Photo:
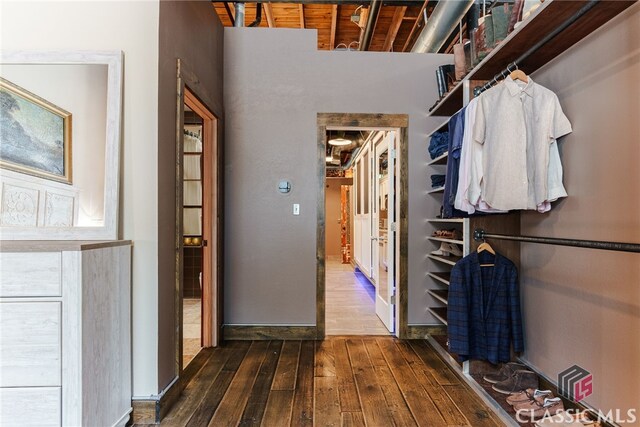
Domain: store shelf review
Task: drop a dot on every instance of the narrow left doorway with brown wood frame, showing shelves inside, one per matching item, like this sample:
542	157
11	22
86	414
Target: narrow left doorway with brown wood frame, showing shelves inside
197	237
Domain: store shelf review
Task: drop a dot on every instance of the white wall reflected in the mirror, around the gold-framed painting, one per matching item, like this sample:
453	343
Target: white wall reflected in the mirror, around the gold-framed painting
82	91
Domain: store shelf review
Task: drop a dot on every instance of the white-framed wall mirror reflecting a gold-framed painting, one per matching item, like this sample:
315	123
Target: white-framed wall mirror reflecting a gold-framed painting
60	117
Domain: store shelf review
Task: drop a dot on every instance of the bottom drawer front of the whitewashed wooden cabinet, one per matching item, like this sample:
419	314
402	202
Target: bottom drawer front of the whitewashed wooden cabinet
34	406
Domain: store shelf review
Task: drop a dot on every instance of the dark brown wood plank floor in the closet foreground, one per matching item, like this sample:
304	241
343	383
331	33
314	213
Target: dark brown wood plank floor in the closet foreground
342	381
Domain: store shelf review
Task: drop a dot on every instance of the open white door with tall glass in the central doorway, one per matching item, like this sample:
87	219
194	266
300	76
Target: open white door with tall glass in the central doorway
383	236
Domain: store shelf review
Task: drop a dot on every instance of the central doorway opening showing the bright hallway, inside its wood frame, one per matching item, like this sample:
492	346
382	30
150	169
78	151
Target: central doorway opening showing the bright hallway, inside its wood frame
359	289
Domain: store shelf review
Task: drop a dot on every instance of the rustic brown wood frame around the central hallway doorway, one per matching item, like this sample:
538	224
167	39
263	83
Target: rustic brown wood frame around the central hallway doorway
399	122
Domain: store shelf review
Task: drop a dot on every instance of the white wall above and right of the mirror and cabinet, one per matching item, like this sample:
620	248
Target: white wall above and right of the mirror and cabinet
132	27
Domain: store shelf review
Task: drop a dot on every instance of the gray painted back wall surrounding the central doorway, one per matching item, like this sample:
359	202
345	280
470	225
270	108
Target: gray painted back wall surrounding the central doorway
275	84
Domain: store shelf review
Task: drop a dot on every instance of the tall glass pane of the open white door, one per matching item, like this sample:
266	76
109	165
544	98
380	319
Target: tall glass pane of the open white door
382	187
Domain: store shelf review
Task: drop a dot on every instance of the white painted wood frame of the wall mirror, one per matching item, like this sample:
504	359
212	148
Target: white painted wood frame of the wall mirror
114	60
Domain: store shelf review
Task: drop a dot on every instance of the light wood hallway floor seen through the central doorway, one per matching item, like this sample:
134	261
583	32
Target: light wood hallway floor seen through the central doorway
349	302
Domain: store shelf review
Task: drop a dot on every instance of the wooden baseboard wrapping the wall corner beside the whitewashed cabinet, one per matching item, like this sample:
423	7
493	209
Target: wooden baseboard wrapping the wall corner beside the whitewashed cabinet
154	409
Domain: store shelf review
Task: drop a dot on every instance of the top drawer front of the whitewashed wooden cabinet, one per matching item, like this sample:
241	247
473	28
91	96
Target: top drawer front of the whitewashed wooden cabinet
25	274
